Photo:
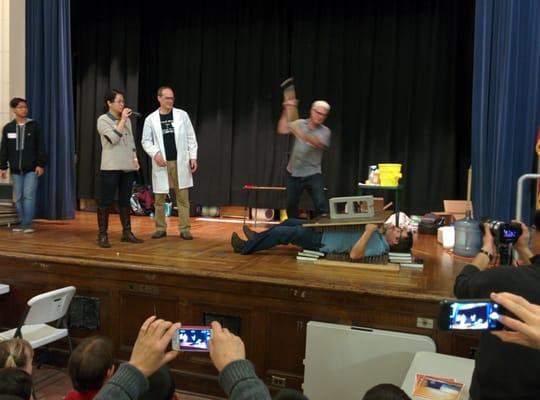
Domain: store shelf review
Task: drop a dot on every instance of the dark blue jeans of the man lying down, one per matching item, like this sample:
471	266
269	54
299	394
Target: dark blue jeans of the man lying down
289	231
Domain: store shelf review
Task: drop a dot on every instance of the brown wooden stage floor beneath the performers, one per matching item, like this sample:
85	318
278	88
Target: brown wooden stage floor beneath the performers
210	255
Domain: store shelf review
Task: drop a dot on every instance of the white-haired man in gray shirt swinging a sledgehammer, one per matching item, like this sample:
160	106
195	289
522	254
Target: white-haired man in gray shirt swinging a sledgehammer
311	139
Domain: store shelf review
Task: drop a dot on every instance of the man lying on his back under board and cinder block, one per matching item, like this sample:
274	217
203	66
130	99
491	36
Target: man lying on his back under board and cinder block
370	240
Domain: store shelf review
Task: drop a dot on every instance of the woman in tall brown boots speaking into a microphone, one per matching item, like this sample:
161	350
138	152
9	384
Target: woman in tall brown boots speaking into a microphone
118	164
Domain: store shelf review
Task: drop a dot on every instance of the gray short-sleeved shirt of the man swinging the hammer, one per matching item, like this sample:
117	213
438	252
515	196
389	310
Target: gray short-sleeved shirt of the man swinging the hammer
305	158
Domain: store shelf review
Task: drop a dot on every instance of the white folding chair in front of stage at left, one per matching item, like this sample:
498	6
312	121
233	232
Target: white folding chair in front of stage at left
42	309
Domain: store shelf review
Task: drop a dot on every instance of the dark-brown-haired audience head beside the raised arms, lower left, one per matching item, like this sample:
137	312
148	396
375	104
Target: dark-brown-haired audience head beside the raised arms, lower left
91	364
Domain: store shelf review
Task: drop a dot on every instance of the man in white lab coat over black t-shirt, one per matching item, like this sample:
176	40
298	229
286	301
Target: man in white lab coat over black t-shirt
169	139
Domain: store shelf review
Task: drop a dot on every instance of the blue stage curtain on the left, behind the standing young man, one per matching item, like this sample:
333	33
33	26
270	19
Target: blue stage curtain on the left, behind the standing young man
50	97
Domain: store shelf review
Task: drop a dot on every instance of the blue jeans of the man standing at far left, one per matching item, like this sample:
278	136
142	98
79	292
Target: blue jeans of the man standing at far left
24	187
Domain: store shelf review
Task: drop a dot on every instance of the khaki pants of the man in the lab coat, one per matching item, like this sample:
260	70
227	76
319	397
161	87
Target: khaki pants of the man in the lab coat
182	202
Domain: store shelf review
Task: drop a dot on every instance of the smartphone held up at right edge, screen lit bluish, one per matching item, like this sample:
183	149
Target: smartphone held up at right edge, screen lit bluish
474	314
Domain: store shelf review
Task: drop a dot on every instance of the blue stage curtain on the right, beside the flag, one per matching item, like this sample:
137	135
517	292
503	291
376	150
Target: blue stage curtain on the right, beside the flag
506	104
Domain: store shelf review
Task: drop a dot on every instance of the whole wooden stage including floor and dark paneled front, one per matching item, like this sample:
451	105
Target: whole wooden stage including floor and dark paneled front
267	298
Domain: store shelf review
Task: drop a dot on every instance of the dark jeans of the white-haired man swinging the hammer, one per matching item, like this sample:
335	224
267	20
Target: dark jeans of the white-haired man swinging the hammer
315	187
